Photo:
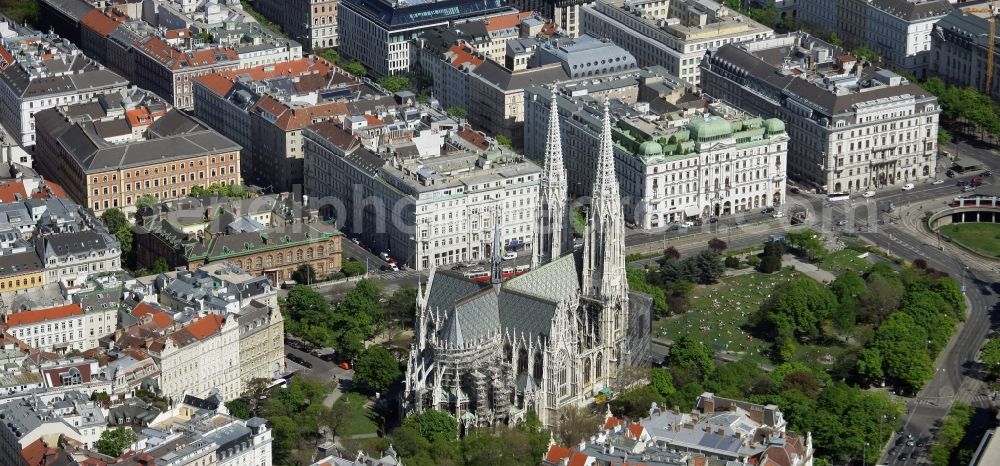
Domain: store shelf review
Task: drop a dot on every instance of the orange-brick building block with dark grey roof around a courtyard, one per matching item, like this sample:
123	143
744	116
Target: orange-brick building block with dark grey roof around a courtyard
117	148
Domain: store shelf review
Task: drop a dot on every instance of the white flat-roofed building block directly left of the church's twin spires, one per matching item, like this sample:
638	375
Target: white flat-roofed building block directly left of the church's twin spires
426	211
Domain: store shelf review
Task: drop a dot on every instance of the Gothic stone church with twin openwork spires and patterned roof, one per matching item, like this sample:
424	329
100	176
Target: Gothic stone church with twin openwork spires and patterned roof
549	339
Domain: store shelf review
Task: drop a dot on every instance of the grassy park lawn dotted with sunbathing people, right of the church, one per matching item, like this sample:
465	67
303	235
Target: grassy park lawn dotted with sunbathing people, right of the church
719	312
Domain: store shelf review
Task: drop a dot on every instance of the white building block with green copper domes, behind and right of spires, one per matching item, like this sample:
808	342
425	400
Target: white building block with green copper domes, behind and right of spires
679	156
